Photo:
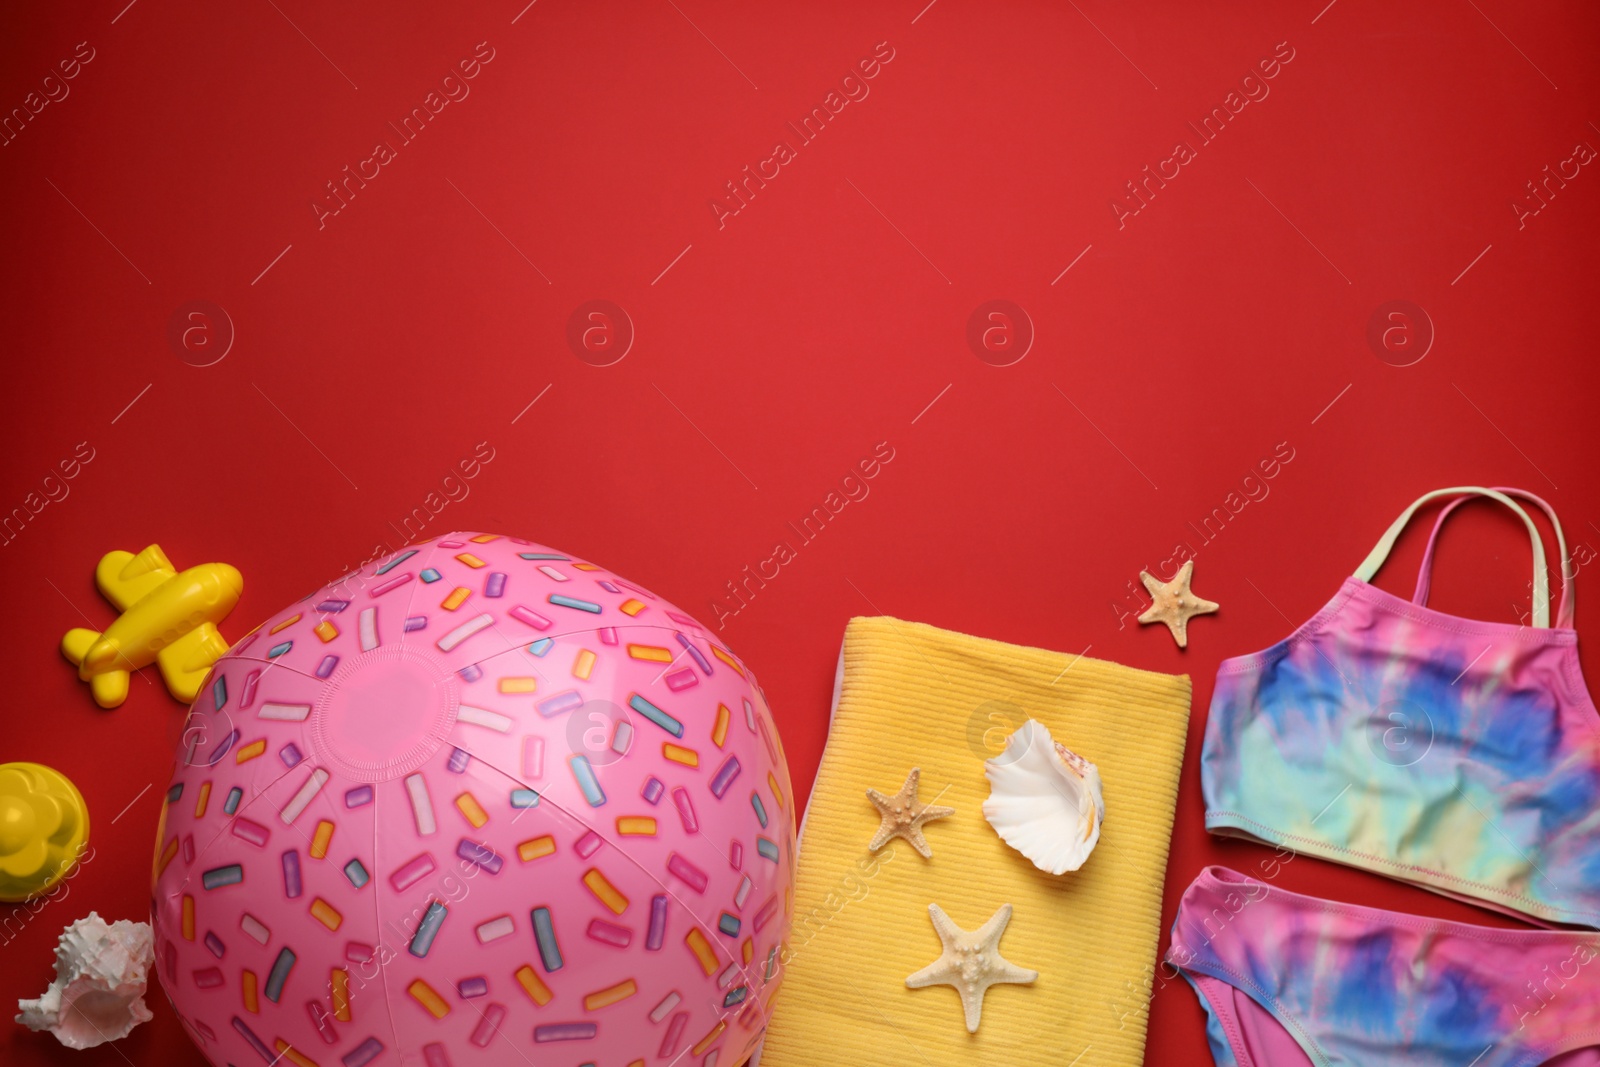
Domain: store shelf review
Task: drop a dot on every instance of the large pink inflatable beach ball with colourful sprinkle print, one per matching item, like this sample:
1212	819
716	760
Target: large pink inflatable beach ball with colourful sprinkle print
479	804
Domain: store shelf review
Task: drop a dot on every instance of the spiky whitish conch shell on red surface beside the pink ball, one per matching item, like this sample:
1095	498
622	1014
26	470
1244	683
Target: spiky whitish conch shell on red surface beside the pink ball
98	996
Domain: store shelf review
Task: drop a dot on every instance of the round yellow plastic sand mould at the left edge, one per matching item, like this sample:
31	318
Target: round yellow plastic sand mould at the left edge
44	829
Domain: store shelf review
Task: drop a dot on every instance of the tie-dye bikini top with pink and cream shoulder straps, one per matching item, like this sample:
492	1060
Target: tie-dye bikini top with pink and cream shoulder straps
1447	753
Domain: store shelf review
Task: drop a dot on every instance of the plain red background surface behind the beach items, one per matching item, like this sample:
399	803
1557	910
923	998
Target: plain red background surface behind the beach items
372	356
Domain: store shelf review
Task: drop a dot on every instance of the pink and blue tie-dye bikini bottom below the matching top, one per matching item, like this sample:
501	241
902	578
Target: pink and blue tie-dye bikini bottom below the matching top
1295	981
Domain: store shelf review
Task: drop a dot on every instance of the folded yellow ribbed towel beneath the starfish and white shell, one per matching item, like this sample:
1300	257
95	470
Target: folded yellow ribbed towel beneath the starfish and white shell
914	695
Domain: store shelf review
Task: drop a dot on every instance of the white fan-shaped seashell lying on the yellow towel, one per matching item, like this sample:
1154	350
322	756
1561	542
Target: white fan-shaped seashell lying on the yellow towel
1046	801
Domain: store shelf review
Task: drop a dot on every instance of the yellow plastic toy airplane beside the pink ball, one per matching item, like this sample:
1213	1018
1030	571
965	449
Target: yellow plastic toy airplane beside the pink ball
167	618
